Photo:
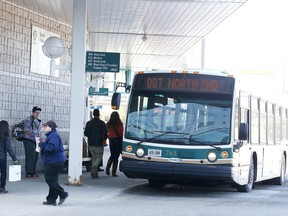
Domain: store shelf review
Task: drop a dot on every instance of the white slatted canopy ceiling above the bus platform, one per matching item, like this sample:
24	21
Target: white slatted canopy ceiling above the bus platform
172	26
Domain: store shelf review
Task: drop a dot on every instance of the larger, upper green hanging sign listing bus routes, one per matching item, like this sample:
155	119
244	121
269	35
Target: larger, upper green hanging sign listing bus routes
102	62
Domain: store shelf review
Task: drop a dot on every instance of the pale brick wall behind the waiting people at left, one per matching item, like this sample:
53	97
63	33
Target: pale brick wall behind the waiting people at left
20	89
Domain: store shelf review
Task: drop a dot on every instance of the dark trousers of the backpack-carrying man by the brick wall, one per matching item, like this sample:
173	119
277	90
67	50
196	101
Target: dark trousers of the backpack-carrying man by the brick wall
31	157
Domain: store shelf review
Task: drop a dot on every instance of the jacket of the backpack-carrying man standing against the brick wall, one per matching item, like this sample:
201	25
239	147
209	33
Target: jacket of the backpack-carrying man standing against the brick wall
32	128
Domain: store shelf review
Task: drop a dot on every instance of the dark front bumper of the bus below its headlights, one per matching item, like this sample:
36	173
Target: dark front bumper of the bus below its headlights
176	172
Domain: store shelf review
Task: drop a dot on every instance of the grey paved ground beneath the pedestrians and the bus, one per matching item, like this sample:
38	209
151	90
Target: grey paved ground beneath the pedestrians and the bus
108	196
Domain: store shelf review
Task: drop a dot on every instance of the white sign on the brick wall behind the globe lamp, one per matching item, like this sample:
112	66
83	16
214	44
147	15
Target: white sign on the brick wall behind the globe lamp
39	62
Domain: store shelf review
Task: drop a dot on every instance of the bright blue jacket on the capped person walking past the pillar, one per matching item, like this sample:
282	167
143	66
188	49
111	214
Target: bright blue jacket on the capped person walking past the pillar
52	150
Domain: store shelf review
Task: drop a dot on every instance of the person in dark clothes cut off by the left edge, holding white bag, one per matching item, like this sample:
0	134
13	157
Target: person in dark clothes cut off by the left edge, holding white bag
5	146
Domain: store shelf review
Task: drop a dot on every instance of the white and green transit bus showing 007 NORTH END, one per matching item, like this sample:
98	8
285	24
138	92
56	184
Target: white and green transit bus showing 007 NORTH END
188	126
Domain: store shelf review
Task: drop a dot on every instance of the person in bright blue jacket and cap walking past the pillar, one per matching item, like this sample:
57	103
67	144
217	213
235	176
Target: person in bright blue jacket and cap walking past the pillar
53	158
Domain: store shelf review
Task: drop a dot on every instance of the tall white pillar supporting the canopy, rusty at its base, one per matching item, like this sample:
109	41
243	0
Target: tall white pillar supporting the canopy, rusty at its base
77	92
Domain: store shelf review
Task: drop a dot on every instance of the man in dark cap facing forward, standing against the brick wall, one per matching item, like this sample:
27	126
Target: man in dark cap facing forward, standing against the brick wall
32	127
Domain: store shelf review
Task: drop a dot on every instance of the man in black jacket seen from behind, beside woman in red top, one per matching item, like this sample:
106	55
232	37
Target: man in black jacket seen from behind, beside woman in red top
97	133
